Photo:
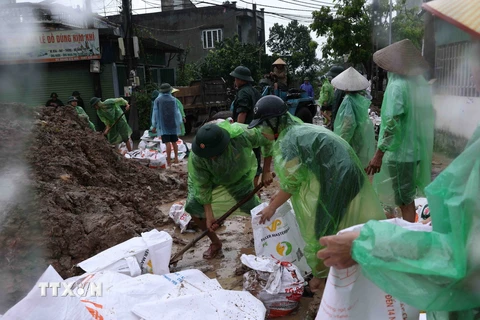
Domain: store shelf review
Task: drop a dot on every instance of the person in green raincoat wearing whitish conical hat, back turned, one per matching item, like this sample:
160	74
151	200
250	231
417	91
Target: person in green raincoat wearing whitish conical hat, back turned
352	122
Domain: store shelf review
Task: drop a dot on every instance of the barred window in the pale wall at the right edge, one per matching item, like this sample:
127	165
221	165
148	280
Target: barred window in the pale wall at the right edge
452	70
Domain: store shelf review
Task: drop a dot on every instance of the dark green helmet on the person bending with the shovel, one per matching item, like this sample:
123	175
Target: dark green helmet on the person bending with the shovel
210	141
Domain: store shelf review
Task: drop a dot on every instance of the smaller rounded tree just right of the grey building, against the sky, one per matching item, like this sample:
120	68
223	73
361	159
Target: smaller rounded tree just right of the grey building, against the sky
295	44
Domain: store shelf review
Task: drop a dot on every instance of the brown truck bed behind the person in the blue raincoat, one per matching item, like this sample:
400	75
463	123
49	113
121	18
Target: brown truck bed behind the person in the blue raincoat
203	99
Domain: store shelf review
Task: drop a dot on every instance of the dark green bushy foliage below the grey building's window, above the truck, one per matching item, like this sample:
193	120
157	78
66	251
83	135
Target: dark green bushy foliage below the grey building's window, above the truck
229	54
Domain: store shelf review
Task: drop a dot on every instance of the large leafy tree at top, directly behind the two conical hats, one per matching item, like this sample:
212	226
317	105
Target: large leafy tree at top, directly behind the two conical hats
351	29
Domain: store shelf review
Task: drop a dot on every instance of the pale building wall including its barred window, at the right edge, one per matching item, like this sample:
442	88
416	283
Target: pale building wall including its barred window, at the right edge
455	100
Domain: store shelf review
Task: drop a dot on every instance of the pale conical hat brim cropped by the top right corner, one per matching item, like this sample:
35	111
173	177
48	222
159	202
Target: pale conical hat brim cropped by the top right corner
465	14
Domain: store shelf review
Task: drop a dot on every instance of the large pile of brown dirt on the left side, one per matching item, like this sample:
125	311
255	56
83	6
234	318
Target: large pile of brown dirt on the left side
67	195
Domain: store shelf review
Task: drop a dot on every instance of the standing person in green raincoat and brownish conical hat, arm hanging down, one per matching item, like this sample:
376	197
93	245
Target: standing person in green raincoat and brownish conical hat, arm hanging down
403	159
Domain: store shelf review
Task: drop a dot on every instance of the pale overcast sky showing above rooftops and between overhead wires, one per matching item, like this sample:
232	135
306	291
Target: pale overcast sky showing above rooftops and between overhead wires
300	10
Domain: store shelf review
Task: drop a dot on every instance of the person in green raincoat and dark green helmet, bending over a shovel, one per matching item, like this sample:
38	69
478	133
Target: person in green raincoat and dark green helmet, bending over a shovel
220	174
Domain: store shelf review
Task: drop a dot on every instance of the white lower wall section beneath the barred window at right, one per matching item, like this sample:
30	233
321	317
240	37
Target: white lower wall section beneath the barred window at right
456	118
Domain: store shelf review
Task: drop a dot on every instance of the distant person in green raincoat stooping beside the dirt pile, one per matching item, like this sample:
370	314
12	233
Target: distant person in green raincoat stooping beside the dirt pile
109	111
